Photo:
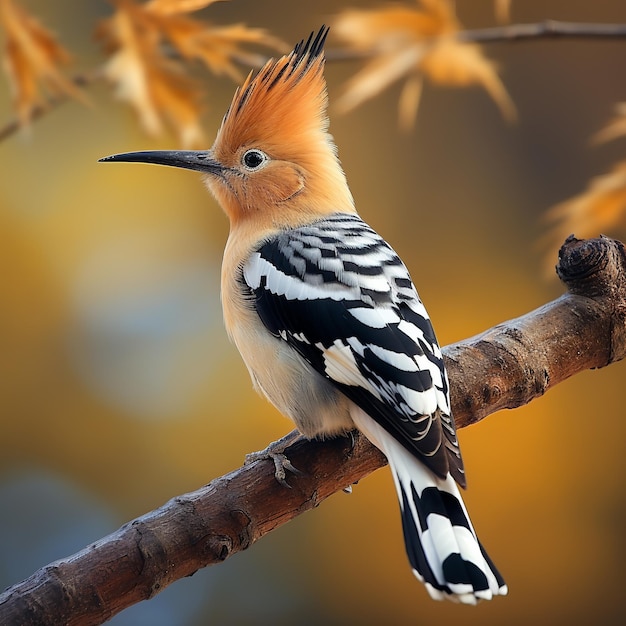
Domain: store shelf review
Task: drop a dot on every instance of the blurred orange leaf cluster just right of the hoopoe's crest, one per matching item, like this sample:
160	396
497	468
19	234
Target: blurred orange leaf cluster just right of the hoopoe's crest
414	43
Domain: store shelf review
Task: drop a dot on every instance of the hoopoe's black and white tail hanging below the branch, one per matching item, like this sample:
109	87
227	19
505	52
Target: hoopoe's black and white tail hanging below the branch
441	544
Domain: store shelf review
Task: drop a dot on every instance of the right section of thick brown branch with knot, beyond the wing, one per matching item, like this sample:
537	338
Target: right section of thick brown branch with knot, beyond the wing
513	363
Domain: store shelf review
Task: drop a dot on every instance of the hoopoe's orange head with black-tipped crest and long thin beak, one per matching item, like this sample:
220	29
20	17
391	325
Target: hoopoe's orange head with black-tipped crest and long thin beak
273	159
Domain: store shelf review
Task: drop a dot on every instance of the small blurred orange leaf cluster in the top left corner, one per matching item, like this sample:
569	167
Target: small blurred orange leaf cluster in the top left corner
31	58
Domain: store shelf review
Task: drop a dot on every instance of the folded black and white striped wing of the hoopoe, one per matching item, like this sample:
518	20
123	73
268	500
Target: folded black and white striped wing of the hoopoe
340	296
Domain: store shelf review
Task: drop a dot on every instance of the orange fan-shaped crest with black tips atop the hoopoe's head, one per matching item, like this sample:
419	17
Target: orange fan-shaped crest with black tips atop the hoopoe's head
282	108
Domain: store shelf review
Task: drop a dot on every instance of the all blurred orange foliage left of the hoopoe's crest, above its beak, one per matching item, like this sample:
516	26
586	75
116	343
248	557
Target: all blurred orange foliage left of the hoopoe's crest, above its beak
143	42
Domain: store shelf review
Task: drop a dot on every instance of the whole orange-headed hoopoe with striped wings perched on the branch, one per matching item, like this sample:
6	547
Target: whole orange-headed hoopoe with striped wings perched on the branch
325	314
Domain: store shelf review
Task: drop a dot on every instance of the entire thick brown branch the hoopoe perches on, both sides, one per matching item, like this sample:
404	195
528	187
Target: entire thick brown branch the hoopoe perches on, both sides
505	367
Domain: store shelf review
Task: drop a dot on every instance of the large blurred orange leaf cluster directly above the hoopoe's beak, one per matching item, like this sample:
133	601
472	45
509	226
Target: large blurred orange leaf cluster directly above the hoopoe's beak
147	44
